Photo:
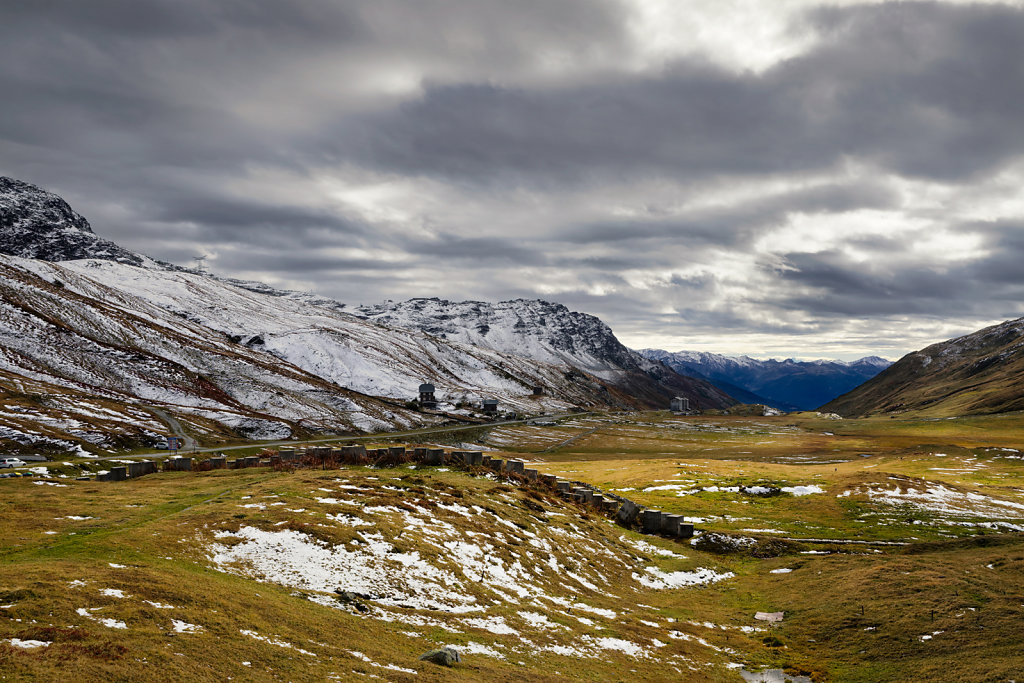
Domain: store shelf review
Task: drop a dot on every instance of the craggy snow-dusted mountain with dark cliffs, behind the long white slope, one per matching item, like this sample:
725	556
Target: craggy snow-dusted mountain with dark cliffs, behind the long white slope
551	333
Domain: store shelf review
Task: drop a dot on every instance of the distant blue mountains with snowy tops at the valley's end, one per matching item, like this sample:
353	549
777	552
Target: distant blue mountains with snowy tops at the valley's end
788	386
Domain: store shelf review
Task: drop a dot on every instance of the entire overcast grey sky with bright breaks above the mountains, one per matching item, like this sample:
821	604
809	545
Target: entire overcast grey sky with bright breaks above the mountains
781	179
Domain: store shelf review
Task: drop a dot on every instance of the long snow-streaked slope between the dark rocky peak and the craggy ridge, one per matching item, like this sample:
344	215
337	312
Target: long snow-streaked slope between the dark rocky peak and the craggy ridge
250	361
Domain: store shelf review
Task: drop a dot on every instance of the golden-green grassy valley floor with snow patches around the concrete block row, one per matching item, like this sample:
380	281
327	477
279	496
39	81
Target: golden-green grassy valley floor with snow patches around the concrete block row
893	549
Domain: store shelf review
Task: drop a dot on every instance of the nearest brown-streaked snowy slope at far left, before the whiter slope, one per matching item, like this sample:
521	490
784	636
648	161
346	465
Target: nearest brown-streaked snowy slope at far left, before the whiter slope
72	336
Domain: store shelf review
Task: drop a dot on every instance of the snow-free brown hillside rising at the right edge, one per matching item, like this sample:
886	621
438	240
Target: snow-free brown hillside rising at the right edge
975	374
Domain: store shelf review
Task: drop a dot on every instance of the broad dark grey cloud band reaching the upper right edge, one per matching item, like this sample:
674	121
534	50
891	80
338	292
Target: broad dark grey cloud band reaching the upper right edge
923	90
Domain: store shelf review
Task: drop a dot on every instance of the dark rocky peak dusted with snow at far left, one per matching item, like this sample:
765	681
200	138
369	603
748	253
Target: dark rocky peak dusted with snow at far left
35	224
